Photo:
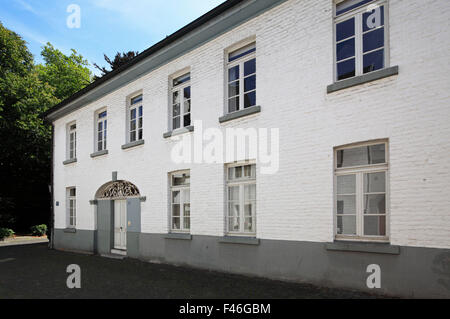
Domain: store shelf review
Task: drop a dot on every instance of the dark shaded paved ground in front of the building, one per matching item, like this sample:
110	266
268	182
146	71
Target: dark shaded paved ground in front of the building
34	271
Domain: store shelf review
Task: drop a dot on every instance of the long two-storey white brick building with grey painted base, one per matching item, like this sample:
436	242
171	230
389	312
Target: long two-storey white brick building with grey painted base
308	221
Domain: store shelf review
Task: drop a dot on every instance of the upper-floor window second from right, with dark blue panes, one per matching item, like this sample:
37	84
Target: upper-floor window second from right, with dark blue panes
242	78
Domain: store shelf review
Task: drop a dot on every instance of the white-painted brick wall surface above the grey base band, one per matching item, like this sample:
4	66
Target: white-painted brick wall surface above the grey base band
294	67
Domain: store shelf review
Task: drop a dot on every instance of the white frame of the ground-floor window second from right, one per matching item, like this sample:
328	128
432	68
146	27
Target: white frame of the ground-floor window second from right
241	183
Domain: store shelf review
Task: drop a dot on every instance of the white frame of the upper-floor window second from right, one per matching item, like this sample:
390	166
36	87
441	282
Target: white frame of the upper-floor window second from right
241	61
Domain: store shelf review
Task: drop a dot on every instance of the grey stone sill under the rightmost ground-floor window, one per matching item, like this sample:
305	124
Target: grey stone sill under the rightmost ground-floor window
363	247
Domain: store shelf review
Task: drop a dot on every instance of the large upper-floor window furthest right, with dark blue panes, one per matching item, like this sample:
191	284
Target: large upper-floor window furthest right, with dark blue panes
361	37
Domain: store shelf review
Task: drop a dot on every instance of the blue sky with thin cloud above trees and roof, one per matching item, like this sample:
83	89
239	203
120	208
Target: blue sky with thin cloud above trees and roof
107	26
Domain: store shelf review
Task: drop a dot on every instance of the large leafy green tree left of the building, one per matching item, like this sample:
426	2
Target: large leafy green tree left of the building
26	91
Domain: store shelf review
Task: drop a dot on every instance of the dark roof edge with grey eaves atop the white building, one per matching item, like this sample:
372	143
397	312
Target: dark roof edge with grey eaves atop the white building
221	19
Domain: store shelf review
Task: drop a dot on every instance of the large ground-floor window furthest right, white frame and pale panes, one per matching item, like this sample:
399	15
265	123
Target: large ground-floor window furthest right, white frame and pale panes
361	191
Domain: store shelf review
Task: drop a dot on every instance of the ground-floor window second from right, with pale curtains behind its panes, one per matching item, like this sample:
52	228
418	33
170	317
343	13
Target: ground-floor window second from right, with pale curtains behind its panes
241	199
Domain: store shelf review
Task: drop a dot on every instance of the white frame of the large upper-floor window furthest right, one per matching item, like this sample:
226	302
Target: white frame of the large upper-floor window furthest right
357	13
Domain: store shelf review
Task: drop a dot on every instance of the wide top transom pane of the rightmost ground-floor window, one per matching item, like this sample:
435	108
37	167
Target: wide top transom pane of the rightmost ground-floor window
365	155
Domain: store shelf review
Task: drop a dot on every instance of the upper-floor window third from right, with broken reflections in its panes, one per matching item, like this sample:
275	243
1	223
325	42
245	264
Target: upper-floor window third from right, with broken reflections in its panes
181	101
